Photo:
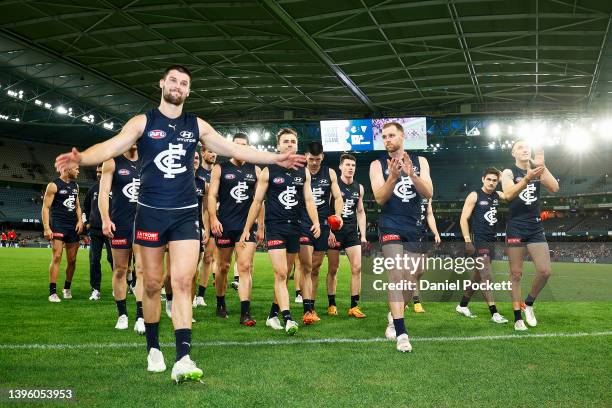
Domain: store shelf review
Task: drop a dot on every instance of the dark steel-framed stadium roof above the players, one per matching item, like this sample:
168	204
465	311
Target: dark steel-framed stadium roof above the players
296	59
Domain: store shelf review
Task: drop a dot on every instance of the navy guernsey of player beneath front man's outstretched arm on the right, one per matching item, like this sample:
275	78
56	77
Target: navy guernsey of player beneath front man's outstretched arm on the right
236	191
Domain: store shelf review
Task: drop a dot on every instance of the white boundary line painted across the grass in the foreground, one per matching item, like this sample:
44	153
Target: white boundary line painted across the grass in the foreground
291	342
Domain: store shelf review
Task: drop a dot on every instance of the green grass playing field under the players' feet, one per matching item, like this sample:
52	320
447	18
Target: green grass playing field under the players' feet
565	361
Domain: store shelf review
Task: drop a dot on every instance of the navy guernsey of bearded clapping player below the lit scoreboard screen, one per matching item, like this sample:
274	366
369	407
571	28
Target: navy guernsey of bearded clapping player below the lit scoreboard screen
403	208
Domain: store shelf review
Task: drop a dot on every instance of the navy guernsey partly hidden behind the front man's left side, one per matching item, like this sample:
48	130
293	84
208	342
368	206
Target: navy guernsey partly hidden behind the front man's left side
124	190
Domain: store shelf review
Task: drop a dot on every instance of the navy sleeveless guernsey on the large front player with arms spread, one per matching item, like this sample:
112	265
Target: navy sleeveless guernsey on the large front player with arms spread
166	150
